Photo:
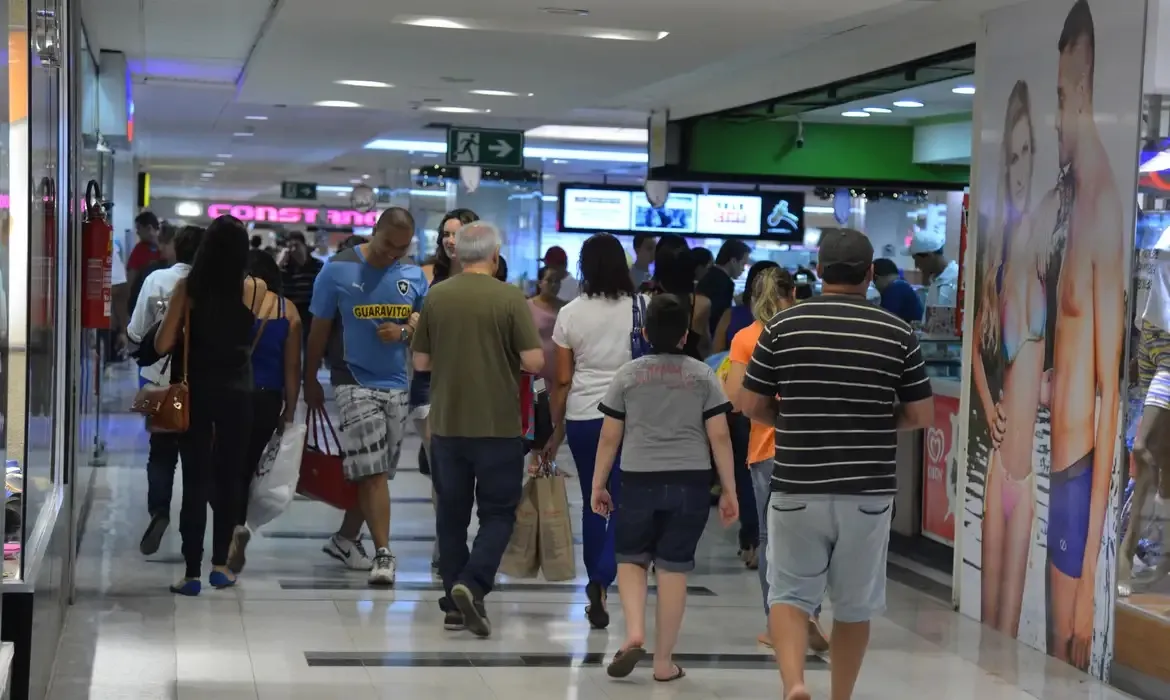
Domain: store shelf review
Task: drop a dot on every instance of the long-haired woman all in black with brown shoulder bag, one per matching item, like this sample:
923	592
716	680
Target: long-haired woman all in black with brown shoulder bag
217	307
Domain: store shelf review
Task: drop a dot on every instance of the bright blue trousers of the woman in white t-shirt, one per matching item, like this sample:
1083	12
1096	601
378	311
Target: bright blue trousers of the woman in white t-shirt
597	533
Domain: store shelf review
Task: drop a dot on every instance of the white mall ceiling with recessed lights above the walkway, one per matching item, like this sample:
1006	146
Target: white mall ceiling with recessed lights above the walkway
201	68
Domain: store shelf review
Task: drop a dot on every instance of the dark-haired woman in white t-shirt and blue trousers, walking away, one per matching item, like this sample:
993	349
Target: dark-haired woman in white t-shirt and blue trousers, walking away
593	341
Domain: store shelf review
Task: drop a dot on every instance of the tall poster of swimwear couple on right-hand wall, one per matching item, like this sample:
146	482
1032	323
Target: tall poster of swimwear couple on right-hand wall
1059	105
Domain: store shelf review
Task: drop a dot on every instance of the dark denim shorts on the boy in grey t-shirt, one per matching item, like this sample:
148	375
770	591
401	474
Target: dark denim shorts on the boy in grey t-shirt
660	524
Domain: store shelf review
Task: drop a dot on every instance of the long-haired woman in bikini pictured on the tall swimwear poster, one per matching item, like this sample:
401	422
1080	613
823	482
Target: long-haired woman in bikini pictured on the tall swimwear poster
1011	320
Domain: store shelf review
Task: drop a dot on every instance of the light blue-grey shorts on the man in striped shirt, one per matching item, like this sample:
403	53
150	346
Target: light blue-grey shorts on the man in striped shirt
835	544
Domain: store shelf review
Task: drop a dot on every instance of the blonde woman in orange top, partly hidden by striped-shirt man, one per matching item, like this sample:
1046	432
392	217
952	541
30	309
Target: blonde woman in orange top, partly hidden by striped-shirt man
773	292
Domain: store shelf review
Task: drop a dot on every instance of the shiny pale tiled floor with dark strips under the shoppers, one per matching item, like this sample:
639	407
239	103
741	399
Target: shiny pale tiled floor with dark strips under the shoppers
298	627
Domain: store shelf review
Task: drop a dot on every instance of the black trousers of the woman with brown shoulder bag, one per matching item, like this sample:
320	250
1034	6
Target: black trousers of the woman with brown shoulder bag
215	456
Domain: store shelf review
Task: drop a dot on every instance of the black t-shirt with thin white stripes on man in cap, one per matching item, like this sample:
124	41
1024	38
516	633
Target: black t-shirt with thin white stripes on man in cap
838	365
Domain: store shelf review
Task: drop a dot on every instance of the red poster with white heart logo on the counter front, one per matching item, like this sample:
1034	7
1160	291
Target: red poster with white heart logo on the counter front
940	477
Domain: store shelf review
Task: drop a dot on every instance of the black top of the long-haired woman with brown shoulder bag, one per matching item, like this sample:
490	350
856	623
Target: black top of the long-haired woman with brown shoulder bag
222	334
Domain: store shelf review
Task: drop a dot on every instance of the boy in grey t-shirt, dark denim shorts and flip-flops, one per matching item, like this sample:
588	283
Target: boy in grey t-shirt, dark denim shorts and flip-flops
667	411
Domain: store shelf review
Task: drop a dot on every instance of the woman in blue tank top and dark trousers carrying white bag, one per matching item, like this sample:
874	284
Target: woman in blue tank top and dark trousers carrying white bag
277	383
